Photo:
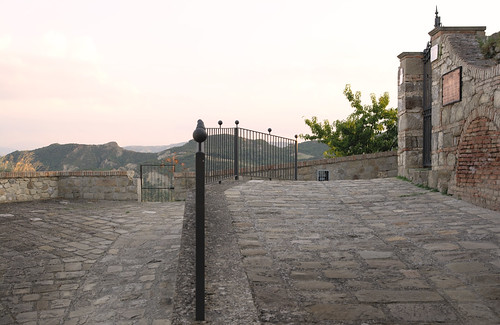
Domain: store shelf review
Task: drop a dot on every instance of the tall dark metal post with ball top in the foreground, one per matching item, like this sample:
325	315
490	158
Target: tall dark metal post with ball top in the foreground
200	135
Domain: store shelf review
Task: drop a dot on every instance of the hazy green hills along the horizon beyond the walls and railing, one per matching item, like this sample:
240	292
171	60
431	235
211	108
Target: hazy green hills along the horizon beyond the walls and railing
110	156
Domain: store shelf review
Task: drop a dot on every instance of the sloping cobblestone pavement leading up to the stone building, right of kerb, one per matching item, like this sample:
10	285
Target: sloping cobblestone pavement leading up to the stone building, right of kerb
377	251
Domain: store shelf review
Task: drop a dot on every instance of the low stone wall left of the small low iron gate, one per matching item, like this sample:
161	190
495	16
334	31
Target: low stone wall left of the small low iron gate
105	185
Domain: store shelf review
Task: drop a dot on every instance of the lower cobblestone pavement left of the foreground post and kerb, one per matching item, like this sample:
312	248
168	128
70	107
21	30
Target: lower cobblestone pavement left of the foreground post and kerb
81	262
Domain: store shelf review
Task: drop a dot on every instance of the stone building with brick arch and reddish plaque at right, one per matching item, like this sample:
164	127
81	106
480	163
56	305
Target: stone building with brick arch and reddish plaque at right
449	116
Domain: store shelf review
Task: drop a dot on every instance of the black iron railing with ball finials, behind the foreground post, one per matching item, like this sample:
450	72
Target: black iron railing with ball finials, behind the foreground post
234	152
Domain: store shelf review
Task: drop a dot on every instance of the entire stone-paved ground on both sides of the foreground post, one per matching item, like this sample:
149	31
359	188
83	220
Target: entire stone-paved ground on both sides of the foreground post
376	251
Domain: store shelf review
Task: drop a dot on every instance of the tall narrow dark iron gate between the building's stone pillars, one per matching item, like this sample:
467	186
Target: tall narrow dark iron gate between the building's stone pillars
427	108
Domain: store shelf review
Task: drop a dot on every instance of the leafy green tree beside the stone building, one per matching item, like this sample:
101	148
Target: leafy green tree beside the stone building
370	128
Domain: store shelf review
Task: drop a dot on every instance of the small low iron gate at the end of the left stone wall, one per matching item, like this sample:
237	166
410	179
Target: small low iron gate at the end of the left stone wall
157	183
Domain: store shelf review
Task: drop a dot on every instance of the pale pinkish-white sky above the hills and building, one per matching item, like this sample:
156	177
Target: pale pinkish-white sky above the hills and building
143	72
